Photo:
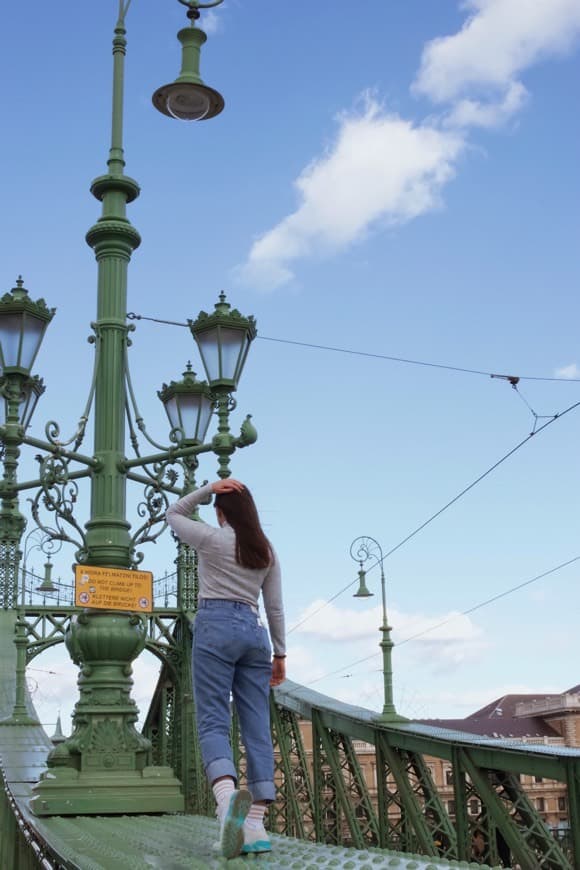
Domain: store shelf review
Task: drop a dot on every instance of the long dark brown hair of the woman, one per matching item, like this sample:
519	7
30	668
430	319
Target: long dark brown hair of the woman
253	549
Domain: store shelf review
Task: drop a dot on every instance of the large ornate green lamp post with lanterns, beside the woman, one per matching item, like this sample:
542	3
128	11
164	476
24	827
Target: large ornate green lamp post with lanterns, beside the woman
102	768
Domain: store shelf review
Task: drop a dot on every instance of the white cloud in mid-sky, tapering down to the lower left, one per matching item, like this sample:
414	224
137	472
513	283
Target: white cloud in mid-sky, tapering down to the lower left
381	168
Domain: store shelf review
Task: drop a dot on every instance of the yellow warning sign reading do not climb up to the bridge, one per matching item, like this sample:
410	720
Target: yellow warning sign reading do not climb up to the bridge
113	589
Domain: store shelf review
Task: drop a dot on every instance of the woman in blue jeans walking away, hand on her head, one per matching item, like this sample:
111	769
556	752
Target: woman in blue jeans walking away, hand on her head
231	654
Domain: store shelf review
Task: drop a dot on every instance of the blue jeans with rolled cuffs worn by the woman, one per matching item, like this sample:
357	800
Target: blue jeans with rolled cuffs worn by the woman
231	654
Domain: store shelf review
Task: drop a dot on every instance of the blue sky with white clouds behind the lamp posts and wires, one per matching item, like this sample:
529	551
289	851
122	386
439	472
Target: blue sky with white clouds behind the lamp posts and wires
399	179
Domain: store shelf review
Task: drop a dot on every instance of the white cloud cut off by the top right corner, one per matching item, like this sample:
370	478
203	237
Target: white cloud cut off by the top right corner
499	40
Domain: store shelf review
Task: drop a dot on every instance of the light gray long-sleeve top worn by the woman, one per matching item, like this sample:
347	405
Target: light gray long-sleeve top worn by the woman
220	576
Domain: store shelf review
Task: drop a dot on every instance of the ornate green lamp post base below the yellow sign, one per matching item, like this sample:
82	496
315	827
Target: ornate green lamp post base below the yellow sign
101	767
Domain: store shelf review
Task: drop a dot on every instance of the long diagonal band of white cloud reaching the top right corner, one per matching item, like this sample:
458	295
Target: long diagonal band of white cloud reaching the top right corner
383	169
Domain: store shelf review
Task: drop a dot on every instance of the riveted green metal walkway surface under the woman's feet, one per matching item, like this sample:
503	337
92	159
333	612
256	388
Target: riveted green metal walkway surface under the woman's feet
168	842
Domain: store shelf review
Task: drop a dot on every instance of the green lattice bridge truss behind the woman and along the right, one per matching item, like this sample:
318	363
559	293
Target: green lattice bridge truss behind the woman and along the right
324	795
